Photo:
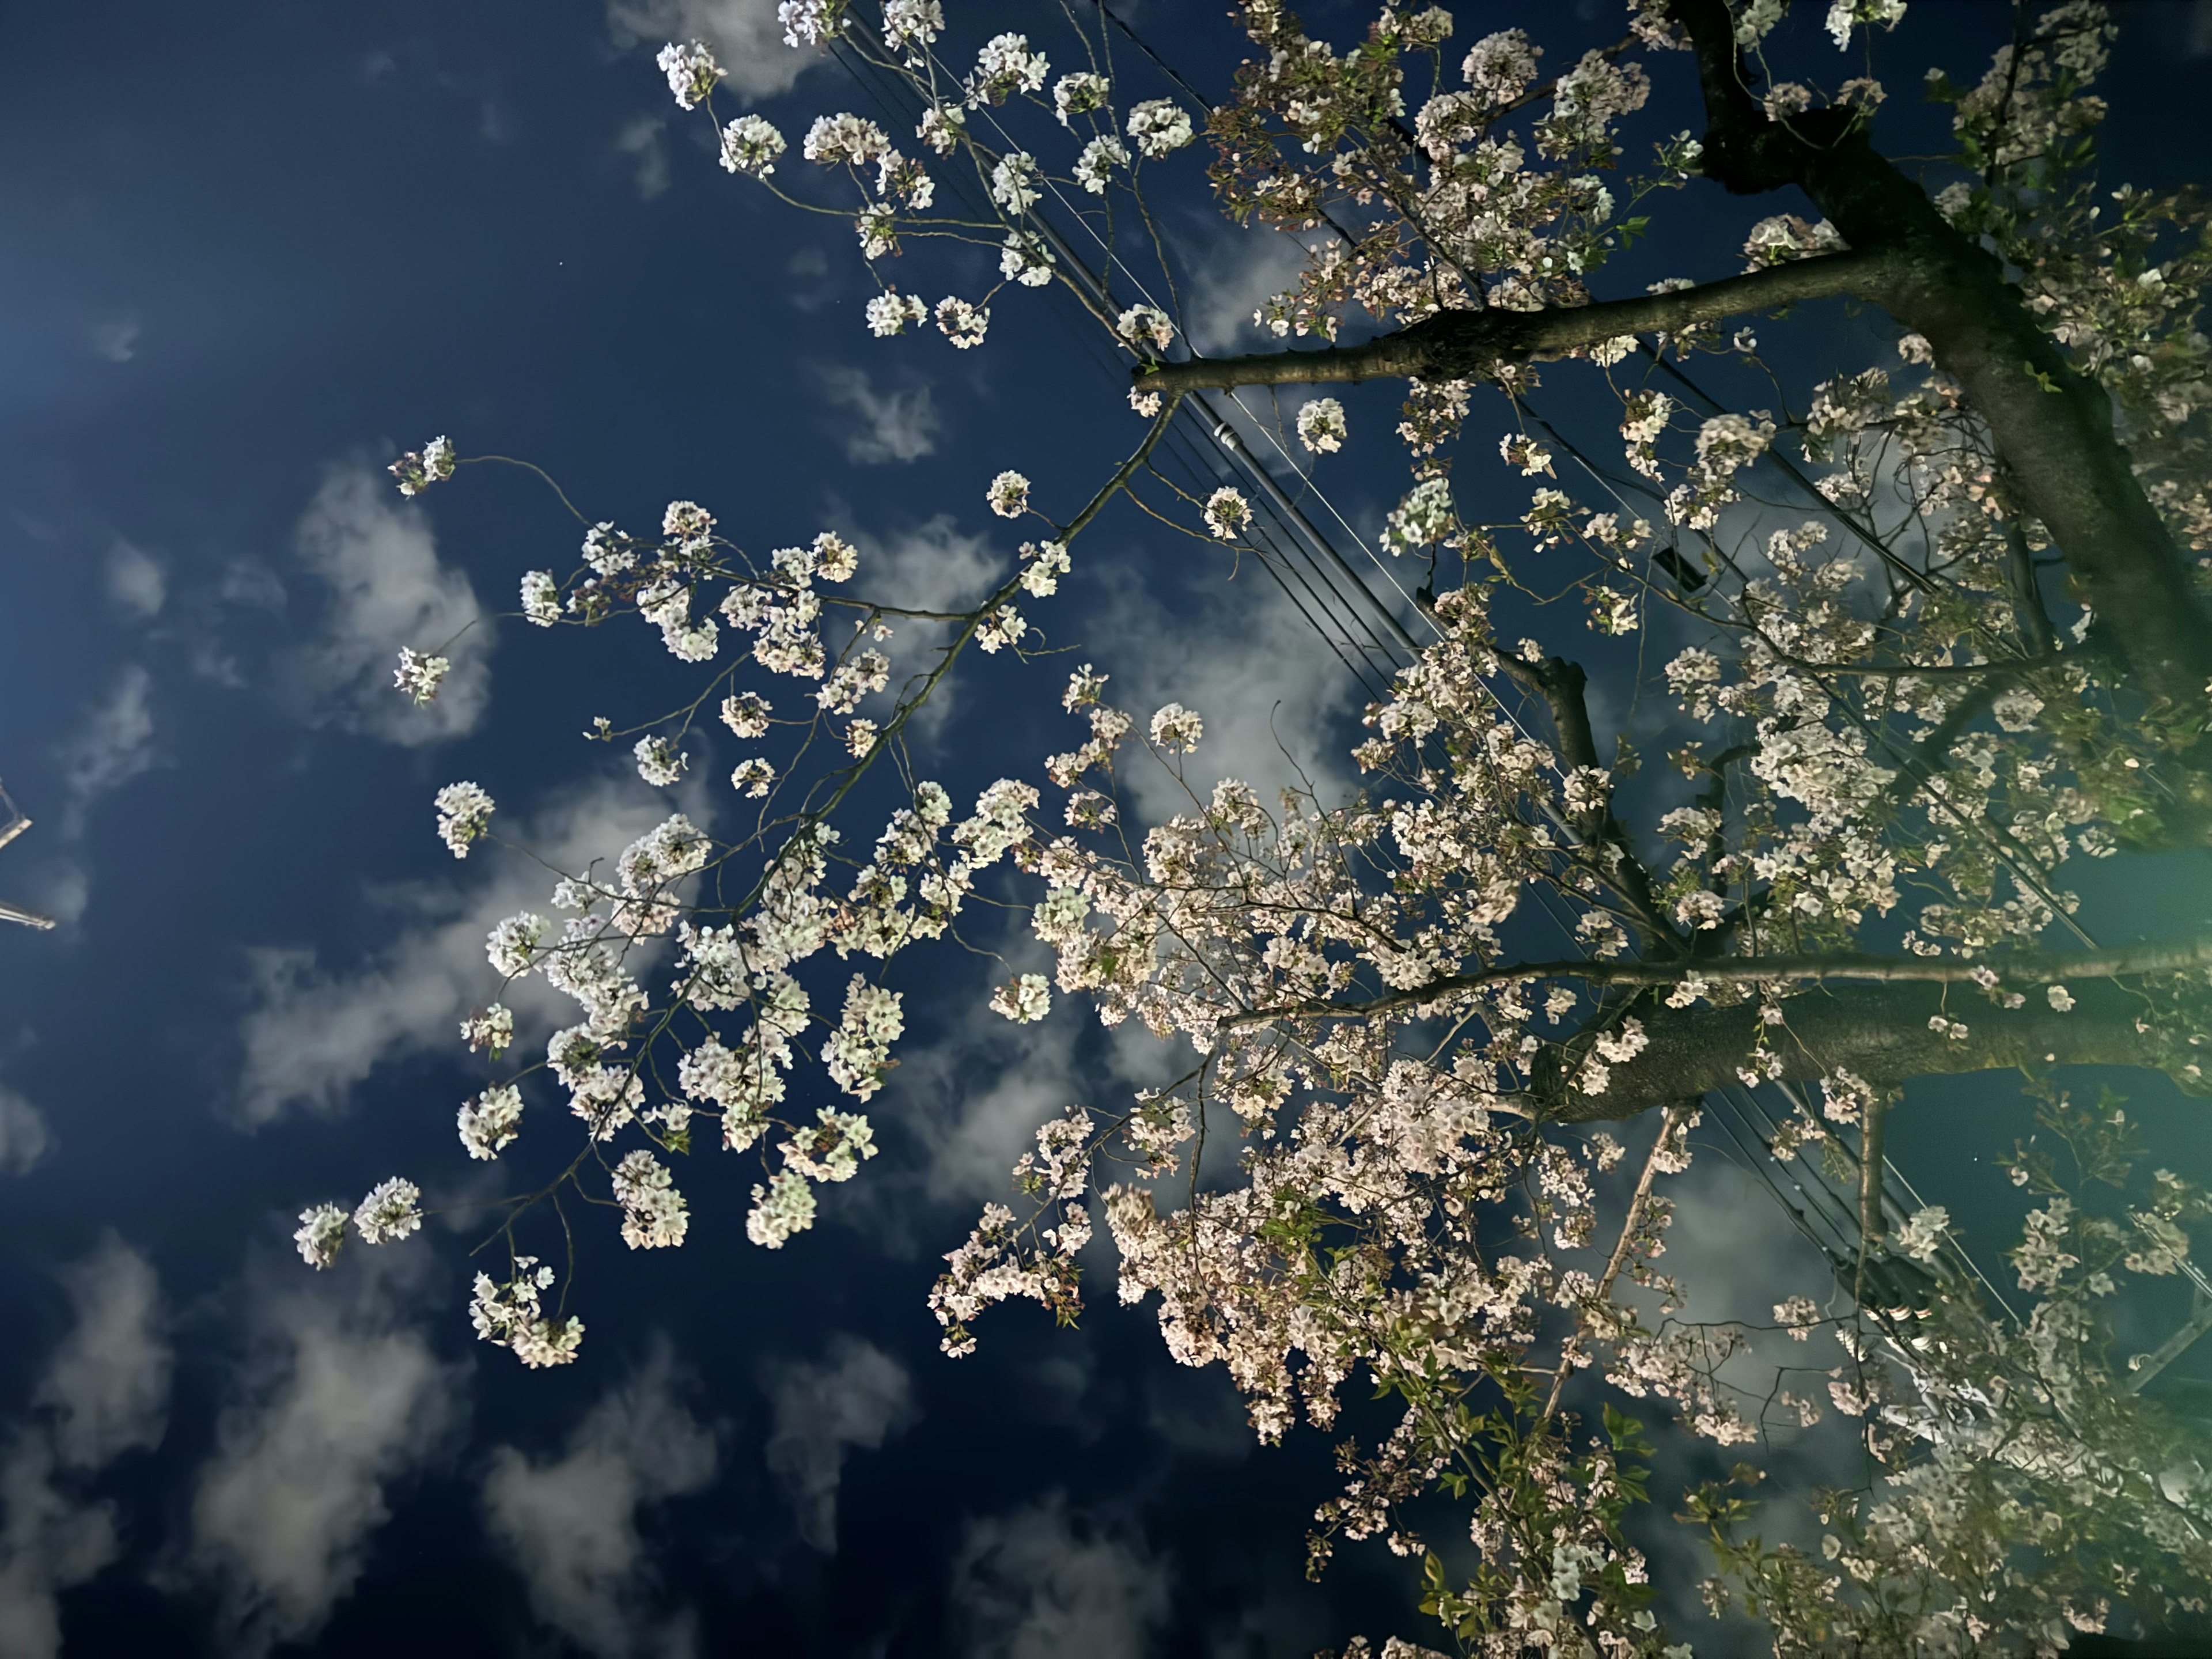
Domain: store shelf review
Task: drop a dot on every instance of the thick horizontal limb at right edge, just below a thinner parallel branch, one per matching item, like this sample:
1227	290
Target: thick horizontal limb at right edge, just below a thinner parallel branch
1879	1032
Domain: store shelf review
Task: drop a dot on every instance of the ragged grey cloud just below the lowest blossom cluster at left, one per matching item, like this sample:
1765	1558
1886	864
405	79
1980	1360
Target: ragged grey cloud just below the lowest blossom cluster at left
570	1525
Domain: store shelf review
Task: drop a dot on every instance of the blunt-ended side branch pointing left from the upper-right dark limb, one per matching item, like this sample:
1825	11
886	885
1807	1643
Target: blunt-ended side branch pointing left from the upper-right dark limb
1470	346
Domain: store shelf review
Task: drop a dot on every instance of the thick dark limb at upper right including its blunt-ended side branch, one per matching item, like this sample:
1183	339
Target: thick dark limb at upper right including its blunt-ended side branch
2052	426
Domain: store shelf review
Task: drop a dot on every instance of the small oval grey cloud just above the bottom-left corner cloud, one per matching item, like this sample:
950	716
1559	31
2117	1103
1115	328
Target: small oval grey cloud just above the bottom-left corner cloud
107	1386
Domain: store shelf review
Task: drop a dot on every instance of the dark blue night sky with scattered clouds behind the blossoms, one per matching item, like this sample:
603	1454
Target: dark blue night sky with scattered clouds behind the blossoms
247	255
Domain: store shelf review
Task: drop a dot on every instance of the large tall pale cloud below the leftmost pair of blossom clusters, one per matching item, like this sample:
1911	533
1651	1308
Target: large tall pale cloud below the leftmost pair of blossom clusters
342	1399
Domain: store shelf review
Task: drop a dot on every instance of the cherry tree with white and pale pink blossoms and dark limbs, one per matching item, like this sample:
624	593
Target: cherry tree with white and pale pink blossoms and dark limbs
1930	636
